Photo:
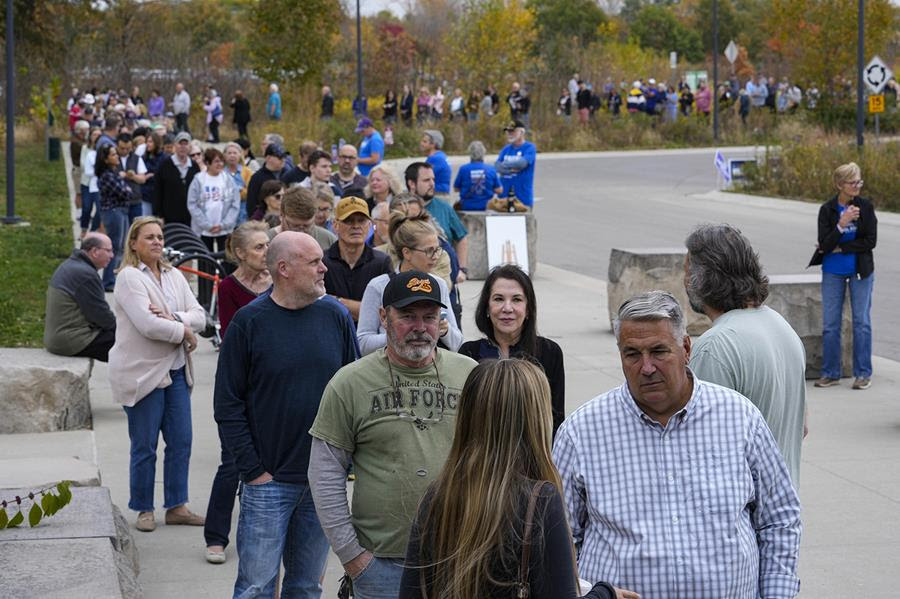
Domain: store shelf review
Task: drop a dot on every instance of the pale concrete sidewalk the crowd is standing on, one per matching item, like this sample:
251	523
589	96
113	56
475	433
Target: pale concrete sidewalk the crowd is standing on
850	482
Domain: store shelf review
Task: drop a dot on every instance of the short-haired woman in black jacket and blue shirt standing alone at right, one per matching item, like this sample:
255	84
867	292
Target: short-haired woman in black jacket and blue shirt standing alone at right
847	234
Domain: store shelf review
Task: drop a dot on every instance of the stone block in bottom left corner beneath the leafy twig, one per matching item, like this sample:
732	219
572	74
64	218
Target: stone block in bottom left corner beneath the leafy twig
84	550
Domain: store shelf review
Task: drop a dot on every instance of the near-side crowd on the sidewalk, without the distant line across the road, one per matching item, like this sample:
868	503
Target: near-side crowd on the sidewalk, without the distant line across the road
337	353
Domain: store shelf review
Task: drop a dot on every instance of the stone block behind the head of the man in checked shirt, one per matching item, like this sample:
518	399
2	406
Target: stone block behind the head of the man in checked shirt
636	270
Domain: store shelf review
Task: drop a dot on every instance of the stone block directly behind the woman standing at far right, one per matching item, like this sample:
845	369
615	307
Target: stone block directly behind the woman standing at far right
798	298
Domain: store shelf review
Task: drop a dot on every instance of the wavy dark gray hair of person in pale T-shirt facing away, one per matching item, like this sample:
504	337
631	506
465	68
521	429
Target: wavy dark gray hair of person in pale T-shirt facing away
723	271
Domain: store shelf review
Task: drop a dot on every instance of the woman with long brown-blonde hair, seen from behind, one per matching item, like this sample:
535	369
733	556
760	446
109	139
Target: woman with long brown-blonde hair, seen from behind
493	522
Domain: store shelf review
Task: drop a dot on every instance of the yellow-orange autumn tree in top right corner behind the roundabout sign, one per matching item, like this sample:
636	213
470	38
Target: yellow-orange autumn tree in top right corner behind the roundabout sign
818	39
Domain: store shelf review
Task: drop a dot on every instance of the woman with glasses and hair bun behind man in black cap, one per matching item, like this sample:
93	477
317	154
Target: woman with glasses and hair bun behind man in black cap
415	241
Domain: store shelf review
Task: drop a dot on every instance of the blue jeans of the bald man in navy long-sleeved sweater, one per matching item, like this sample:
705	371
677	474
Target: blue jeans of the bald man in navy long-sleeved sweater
278	522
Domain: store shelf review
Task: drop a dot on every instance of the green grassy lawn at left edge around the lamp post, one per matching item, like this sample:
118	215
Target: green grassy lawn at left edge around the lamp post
29	255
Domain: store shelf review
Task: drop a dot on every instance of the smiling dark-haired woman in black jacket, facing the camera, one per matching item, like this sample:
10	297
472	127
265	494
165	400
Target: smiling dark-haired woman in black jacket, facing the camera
507	316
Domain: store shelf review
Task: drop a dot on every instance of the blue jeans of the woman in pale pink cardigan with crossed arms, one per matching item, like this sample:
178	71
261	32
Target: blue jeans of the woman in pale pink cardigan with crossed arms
167	411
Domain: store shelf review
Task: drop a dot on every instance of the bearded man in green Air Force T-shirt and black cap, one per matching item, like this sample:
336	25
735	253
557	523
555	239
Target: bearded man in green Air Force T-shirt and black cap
392	413
